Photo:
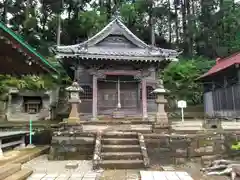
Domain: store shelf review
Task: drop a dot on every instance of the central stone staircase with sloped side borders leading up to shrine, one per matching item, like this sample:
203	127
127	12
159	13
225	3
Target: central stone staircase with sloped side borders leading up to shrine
120	150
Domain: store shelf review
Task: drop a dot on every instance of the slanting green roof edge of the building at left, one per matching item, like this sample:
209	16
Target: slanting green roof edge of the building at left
27	46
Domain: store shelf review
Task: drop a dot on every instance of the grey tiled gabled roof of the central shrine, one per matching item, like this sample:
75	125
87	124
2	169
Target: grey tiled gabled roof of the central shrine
91	48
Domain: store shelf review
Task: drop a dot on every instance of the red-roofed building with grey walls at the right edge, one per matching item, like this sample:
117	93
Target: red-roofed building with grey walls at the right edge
221	88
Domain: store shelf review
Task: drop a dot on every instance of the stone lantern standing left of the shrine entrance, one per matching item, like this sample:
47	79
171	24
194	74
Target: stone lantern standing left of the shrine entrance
74	100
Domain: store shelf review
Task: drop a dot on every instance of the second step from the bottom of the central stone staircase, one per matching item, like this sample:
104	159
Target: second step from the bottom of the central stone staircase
121	155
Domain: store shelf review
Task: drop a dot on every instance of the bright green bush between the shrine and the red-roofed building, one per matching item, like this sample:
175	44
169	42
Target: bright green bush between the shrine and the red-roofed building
180	79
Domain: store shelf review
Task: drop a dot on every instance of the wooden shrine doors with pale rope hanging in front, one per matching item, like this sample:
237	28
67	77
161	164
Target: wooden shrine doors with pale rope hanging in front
120	92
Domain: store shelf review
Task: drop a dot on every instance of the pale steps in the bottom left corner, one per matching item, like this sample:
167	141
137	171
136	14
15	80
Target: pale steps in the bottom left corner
14	172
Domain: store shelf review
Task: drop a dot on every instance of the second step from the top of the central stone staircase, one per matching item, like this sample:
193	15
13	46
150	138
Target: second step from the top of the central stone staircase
120	141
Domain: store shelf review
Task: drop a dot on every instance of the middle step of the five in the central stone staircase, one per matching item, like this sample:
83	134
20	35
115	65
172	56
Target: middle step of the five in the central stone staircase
121	148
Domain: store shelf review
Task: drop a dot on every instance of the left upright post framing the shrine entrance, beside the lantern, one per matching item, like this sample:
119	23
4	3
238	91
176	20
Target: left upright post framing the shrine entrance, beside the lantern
95	98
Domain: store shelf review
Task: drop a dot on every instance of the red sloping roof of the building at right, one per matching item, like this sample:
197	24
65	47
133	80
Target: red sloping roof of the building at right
222	64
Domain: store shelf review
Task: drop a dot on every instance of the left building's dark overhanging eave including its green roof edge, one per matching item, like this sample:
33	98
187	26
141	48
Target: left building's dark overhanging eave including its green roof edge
18	57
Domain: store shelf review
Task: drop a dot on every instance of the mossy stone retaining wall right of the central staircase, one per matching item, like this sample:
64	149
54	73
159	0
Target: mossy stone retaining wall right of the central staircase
179	148
